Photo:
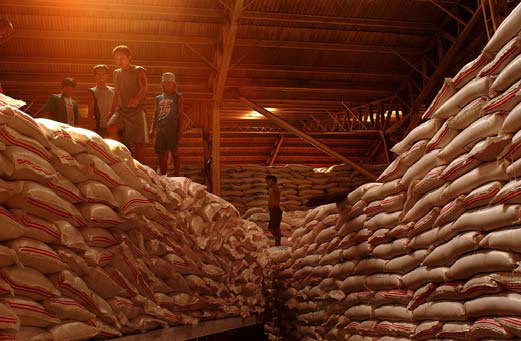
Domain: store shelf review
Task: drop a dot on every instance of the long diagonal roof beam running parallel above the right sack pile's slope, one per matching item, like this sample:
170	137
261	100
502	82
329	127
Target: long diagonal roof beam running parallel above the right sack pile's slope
444	64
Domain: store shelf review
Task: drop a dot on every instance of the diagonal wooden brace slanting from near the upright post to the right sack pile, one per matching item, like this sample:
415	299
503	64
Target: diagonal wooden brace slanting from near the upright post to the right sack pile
307	138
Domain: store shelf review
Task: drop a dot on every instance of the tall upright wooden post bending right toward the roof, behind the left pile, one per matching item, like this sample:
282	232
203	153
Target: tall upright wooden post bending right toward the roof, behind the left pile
228	42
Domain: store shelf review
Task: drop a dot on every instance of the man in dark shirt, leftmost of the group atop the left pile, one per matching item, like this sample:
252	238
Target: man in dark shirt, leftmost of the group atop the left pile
62	107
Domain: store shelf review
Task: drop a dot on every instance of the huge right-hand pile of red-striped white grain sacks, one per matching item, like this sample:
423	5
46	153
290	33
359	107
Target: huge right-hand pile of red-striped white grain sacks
432	251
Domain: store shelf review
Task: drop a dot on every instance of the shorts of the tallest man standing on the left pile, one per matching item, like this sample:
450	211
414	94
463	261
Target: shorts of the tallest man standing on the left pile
133	125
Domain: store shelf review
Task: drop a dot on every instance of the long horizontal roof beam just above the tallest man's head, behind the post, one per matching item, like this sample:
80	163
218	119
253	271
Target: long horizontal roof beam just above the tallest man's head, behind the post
29	34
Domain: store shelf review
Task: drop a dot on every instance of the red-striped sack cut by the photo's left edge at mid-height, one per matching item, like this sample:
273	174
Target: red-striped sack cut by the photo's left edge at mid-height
26	165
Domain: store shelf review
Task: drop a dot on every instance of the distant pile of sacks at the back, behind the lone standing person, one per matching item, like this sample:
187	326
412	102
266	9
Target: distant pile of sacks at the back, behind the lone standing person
245	186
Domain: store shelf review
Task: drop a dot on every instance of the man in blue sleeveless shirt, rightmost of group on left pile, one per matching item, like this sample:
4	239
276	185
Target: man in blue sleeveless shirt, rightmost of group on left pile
168	120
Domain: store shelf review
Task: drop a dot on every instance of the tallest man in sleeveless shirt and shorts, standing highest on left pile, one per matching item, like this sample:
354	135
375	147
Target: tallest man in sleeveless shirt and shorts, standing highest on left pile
128	107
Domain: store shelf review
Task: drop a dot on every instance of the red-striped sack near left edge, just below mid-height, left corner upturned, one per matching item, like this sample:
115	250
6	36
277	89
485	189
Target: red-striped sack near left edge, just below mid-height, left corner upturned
44	203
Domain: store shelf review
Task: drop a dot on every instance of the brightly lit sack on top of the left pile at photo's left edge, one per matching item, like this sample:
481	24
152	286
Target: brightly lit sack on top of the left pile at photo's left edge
24	124
